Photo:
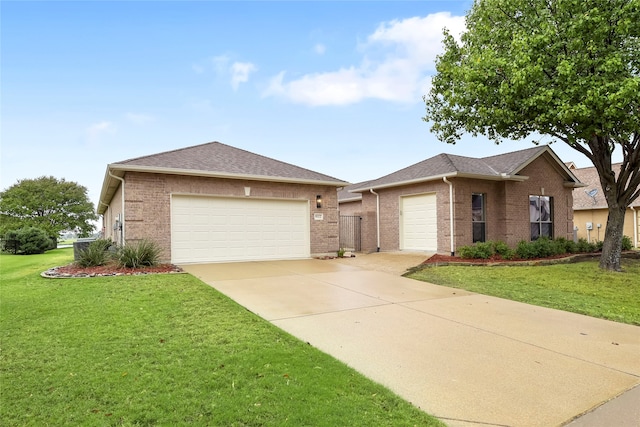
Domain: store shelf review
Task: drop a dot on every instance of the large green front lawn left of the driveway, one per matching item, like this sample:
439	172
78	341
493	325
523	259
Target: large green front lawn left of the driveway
164	350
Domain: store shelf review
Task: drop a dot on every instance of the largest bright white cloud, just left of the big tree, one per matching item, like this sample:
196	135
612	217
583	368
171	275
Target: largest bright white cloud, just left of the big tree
398	58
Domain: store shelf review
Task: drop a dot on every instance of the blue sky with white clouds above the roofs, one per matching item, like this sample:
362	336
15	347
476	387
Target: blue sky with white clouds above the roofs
335	87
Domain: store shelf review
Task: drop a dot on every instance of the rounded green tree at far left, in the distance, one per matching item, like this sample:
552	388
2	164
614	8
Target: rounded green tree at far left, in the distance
51	204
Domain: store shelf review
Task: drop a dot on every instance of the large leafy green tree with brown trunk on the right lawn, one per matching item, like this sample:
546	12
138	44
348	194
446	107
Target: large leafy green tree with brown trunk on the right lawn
568	69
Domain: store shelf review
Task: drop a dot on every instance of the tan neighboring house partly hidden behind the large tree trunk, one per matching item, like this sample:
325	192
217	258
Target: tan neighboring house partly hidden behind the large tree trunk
590	210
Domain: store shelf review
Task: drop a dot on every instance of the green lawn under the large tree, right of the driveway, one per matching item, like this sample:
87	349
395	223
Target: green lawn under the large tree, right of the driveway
580	287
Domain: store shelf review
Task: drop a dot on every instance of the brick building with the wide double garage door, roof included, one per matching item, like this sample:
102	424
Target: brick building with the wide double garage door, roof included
214	202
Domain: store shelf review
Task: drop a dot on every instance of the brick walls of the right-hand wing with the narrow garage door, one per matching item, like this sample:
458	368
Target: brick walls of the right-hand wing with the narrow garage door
506	206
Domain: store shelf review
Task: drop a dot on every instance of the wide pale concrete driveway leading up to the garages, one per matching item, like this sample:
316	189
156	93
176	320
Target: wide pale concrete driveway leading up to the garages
468	359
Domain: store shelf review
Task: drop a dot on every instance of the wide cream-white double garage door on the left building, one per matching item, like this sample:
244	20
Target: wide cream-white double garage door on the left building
218	229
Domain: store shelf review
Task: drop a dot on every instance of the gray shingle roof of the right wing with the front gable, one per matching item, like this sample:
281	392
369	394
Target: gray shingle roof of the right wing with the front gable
502	167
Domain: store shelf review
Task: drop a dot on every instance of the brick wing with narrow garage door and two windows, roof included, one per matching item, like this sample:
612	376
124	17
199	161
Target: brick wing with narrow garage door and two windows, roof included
448	201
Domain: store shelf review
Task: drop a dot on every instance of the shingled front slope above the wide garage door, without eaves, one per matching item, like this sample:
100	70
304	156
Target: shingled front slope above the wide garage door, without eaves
218	158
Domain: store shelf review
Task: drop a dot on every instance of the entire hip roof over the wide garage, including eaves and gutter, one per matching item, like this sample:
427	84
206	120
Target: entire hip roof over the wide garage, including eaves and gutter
213	159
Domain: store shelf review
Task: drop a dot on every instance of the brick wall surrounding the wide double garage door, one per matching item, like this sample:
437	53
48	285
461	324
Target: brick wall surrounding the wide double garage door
148	205
